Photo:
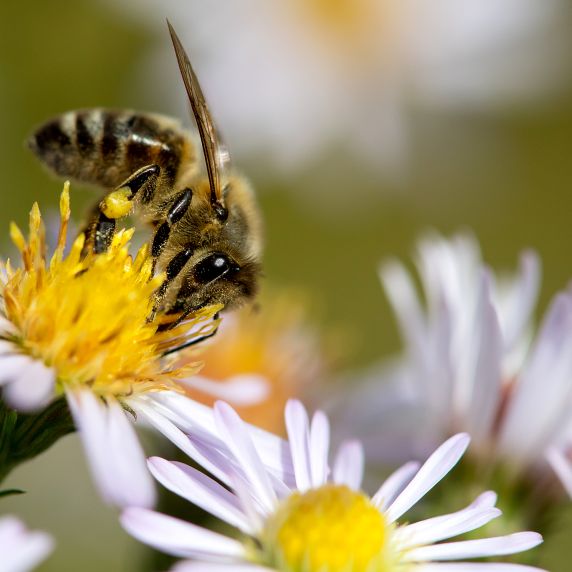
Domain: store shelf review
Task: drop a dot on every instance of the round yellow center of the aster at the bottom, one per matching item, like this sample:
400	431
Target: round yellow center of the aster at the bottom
329	529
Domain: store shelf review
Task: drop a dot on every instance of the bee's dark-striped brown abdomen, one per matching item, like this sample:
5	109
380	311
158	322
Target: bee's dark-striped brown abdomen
104	147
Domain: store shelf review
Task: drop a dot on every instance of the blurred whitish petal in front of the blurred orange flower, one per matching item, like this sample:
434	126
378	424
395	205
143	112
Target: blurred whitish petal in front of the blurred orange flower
239	390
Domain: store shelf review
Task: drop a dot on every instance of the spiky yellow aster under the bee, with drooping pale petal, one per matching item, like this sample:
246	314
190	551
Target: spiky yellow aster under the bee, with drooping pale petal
77	327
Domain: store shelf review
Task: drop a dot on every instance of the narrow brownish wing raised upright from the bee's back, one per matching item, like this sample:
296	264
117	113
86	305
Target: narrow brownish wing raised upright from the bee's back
216	155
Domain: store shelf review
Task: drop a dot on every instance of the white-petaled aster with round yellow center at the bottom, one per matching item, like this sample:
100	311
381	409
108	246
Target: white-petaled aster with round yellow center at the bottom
295	513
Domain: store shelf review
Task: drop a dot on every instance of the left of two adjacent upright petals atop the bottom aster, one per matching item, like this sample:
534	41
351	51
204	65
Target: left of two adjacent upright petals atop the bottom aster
297	427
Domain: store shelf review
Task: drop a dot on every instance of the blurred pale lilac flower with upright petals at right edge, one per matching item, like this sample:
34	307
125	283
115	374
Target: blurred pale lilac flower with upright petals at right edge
471	364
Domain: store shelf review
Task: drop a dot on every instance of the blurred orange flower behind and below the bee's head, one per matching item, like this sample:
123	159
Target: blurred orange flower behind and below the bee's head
274	346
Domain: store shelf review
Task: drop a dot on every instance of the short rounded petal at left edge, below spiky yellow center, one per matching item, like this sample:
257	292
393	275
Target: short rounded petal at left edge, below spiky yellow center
31	388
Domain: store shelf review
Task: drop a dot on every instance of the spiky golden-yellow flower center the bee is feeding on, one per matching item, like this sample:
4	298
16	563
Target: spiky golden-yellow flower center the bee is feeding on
88	317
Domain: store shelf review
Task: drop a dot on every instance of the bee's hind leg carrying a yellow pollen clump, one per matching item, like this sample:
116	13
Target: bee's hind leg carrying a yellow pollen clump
117	204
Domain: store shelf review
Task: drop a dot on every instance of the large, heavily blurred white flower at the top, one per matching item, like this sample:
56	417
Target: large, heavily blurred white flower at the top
293	81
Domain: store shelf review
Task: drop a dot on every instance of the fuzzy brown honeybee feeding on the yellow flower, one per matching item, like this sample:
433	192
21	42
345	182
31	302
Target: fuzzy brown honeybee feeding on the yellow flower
206	229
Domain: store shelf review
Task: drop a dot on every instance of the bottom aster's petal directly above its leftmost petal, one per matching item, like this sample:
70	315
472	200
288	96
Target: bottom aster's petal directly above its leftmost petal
201	490
